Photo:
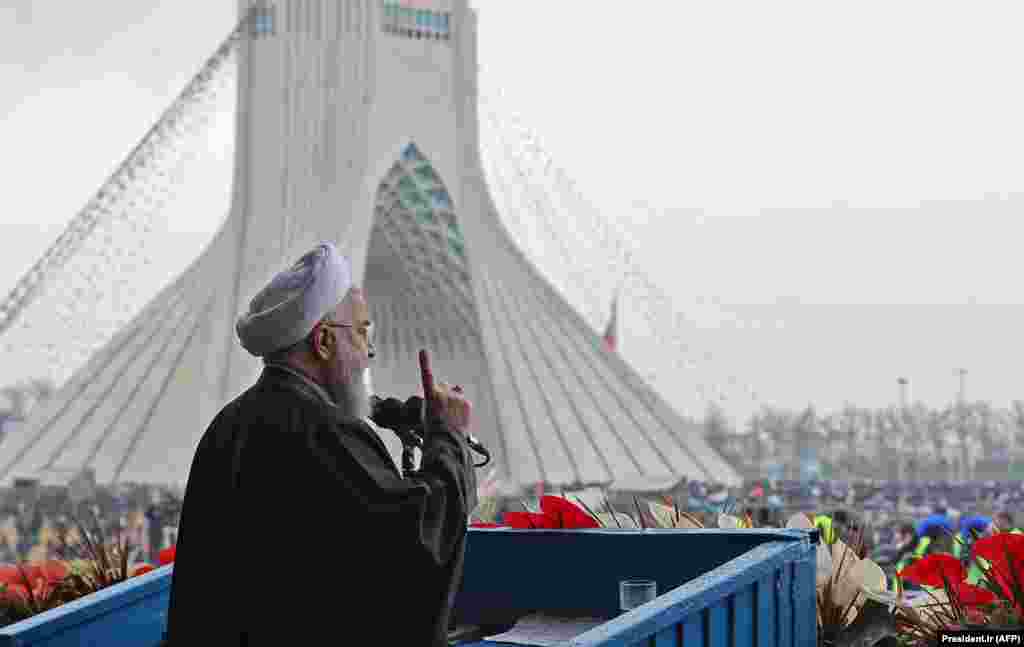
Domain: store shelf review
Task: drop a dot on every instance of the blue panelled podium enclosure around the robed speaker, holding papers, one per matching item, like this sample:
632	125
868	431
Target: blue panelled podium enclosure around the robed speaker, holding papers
737	588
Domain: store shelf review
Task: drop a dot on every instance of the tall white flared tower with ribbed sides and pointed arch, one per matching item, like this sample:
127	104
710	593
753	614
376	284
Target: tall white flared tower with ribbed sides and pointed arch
357	123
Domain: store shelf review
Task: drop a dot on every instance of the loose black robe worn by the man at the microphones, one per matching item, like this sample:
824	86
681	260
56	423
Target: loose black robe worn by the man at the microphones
297	530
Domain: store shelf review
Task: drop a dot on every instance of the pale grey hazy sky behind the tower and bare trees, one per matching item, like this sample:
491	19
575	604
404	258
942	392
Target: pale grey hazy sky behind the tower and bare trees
723	106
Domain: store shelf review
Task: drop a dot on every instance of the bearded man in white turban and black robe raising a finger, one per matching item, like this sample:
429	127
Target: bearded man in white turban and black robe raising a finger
295	452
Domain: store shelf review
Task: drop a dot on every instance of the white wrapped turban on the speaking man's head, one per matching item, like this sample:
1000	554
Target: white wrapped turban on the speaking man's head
285	312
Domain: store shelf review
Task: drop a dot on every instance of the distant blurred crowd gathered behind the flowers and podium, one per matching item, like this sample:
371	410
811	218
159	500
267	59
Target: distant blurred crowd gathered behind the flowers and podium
893	519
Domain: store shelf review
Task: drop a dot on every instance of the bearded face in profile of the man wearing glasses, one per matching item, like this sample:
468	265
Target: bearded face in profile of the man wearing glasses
345	371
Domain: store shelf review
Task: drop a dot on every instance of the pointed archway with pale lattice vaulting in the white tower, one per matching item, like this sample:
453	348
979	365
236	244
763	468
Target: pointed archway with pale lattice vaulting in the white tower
418	280
